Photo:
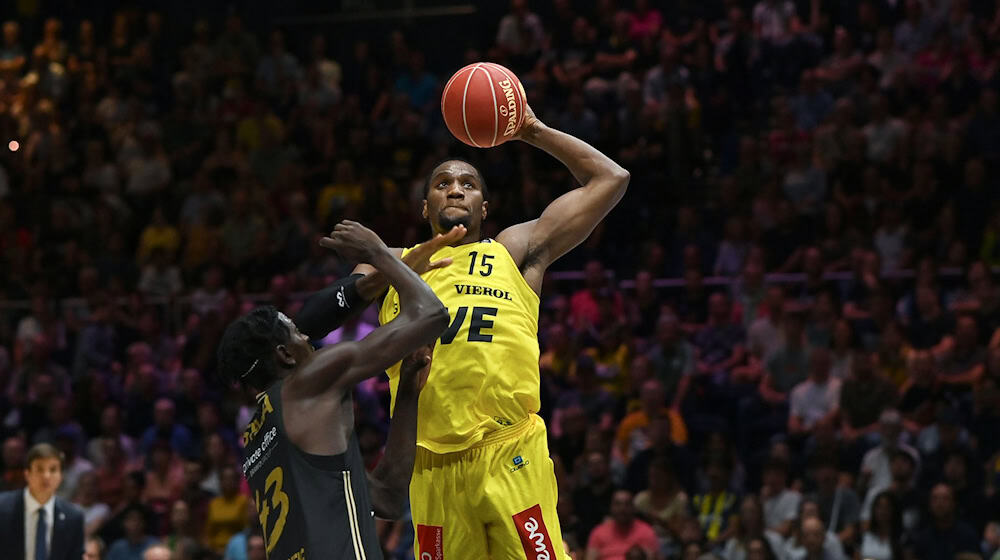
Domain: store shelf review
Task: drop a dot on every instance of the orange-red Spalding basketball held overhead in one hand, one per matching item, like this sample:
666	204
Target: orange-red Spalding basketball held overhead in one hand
483	104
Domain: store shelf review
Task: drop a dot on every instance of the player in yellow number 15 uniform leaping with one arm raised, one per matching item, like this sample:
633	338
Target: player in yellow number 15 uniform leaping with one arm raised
483	484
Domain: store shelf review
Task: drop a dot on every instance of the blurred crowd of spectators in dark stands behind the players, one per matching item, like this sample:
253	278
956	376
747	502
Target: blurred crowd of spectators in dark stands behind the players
824	382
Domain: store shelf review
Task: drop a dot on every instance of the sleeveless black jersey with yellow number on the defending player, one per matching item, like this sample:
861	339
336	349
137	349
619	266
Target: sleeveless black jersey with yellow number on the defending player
311	507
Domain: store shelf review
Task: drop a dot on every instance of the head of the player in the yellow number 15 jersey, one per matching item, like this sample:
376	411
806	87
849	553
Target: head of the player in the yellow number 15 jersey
455	197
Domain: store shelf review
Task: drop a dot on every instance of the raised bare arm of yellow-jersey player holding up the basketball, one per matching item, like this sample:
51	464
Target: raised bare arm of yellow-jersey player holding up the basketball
569	219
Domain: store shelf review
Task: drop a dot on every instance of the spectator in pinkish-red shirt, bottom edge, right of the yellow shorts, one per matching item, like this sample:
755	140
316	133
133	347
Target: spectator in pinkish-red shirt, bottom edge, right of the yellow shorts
614	537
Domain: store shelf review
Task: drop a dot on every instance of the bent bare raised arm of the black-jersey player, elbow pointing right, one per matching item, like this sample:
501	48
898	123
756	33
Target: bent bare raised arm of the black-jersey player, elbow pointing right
421	320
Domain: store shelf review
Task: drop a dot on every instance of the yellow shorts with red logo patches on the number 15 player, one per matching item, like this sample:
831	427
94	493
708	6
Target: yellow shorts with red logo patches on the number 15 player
495	500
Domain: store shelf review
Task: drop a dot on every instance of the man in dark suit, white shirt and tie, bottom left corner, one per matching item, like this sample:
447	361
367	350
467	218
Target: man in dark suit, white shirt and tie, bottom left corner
41	525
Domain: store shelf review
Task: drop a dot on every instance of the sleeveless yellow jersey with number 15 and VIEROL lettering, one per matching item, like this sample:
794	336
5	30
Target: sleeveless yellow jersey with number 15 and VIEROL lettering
484	373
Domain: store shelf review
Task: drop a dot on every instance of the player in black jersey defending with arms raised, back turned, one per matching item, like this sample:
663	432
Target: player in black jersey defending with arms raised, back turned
302	458
